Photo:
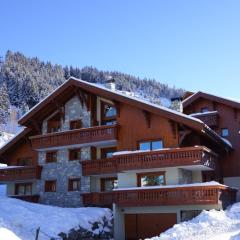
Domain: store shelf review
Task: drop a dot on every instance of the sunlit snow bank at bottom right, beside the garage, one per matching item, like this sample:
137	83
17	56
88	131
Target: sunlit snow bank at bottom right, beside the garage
210	225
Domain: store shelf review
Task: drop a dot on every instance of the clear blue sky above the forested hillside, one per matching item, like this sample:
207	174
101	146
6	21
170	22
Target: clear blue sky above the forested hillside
193	44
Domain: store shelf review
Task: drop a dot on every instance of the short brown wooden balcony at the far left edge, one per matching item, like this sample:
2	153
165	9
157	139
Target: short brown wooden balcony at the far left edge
20	173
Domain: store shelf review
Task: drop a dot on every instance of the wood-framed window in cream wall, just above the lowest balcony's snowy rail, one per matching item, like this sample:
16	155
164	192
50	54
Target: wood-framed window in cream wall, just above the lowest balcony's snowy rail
151	179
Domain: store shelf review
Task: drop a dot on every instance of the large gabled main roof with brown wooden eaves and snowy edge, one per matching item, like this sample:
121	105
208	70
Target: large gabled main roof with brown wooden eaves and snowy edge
68	90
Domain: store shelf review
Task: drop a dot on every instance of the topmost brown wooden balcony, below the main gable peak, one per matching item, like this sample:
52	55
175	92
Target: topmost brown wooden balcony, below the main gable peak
75	137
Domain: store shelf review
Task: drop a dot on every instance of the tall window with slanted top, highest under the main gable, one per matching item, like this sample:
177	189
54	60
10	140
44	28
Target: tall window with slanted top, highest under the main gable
108	114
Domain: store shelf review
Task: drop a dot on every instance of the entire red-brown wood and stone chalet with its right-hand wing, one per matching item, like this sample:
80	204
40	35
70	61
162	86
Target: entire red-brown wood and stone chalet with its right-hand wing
91	145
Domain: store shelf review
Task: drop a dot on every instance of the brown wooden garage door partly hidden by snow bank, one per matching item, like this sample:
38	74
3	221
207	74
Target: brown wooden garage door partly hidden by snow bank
140	226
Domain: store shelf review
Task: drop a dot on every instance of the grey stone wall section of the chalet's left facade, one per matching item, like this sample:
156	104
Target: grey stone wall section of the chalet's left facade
64	169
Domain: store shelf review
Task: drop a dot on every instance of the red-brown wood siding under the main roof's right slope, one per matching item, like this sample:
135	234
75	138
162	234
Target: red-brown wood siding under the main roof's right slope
135	126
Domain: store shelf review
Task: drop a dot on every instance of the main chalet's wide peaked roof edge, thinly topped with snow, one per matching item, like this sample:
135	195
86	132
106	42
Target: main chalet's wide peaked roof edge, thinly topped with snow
100	89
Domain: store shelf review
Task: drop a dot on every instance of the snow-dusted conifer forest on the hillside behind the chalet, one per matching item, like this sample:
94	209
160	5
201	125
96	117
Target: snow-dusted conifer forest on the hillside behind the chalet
25	81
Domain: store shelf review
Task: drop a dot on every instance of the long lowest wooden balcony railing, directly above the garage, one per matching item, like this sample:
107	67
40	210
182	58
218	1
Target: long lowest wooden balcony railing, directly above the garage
203	195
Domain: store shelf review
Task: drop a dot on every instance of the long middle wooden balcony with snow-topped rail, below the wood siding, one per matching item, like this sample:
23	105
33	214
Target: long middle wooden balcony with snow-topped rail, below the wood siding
175	157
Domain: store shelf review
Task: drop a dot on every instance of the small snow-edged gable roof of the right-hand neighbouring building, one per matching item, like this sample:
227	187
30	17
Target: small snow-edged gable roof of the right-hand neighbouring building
227	101
